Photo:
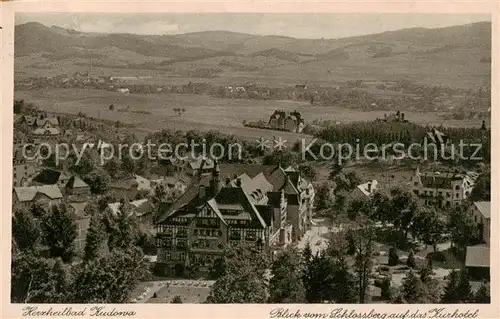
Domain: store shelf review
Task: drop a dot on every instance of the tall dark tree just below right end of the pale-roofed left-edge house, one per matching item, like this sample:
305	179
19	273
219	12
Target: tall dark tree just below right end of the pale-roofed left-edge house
59	232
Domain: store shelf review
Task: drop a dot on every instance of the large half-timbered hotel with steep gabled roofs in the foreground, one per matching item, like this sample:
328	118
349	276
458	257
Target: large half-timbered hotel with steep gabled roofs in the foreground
262	206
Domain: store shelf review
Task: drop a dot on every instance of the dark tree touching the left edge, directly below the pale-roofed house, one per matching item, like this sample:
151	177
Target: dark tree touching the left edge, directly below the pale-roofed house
24	230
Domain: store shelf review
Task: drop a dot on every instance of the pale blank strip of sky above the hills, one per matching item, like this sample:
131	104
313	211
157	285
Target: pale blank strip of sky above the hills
297	25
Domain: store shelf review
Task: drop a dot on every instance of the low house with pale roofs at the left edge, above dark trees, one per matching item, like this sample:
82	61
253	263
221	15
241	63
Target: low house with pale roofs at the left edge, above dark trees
46	195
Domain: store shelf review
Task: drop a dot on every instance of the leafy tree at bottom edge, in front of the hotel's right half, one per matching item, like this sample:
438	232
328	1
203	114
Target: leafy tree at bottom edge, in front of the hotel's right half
244	279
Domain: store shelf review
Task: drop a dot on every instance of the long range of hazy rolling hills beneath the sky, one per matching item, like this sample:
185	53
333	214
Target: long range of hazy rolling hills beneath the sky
445	56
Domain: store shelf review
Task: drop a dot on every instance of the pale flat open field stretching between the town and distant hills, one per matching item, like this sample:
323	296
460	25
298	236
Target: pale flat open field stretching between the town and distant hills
203	112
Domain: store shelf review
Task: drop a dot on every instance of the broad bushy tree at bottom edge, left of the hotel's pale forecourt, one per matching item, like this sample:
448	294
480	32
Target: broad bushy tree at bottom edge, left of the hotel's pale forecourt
110	278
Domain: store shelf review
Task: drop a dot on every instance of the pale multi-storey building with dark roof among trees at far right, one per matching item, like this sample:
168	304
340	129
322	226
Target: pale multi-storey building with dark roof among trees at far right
442	189
